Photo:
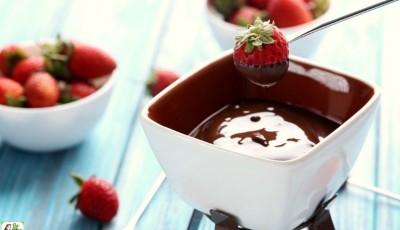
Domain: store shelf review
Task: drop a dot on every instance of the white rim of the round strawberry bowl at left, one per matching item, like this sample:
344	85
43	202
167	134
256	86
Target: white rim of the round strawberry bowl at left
109	82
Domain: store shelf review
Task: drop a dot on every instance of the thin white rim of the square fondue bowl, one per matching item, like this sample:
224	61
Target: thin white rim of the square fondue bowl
337	132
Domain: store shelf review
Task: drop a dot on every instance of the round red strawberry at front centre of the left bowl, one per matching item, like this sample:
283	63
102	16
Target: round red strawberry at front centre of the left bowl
41	90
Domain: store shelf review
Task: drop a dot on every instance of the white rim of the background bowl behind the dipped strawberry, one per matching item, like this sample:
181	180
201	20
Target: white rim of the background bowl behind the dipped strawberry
217	18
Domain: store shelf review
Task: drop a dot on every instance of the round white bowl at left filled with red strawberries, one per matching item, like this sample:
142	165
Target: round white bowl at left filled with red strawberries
52	94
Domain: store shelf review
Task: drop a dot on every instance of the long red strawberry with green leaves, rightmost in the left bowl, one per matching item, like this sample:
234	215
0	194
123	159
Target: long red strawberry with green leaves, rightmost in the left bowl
66	60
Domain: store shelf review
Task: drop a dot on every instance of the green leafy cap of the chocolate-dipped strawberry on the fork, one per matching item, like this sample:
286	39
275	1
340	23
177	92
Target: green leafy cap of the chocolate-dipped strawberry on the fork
255	35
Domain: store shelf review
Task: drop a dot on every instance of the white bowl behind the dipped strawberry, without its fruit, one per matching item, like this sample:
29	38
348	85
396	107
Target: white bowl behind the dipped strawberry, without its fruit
225	32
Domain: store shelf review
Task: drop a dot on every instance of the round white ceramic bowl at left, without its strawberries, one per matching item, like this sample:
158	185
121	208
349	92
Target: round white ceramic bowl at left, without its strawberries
44	130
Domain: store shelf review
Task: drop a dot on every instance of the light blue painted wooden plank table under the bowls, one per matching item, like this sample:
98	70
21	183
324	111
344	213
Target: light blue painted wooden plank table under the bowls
141	35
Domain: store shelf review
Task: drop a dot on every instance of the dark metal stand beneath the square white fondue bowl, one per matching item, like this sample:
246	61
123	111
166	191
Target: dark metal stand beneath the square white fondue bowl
321	219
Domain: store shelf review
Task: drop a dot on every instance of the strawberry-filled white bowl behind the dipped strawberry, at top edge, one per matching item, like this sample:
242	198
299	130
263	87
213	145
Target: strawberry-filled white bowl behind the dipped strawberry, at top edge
227	17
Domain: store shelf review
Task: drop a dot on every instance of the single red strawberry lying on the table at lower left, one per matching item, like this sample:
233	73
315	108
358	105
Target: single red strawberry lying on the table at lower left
97	199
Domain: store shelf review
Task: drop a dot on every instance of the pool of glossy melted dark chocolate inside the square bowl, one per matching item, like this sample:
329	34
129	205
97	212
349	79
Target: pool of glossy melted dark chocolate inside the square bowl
265	129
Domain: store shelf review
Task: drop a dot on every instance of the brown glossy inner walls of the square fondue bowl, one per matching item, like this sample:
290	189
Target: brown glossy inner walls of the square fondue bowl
324	92
